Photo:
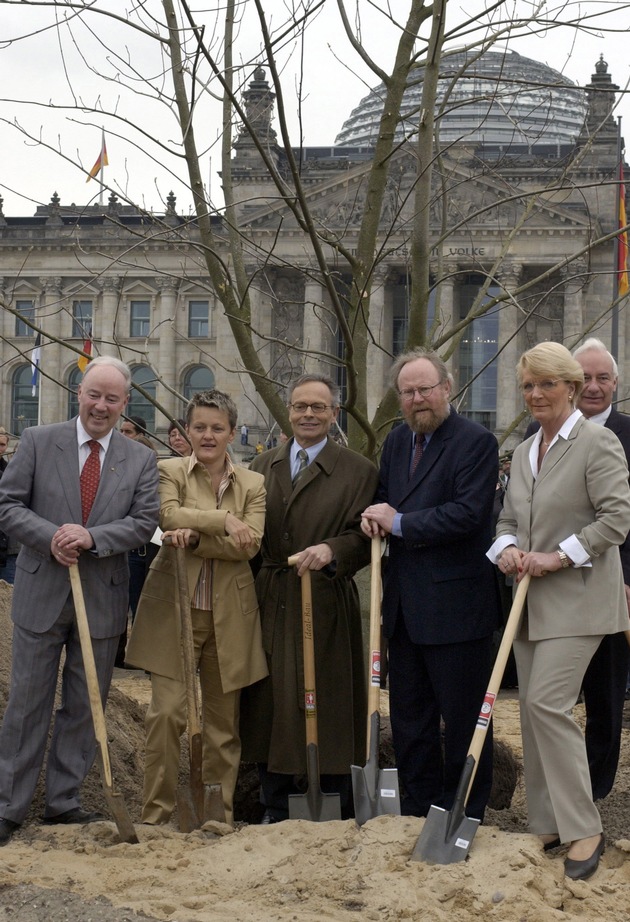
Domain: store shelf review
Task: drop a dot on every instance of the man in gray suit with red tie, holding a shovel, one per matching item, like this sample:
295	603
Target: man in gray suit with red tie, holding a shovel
46	504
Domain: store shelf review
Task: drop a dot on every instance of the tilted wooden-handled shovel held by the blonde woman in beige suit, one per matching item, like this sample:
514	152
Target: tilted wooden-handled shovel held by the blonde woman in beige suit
447	834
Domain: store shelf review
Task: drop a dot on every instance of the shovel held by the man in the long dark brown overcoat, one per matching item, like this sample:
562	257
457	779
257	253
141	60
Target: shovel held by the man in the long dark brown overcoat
314	805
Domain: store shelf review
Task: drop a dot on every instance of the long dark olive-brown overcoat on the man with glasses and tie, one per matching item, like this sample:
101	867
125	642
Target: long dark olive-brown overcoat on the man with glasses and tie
325	507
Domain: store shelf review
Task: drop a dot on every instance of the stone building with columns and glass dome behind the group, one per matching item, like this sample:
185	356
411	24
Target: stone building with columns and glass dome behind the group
514	213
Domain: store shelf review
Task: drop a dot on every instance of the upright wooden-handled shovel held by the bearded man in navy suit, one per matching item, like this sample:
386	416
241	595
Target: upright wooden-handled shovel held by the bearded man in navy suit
375	790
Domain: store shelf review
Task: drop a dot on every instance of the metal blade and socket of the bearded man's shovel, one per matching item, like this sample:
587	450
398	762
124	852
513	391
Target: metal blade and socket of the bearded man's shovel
375	790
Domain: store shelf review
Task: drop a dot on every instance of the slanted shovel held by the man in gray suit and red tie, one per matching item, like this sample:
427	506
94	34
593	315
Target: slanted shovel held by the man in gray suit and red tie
115	801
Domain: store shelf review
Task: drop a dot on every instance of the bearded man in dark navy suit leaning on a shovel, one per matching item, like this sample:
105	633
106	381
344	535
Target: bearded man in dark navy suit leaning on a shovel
440	603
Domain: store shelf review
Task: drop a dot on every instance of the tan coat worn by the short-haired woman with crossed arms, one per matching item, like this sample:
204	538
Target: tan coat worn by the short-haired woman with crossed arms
187	500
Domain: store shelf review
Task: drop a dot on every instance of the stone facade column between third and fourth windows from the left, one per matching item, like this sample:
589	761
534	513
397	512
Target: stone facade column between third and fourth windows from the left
165	361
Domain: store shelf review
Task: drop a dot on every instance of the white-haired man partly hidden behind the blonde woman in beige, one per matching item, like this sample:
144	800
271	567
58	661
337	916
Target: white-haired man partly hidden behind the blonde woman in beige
606	679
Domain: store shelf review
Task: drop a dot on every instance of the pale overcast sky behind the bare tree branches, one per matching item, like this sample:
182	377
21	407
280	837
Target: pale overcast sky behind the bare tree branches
47	76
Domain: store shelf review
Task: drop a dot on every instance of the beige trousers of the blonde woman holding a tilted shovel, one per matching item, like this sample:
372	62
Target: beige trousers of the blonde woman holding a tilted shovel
557	779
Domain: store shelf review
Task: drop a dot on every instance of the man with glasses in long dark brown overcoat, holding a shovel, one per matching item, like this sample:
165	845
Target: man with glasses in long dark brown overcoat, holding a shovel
316	490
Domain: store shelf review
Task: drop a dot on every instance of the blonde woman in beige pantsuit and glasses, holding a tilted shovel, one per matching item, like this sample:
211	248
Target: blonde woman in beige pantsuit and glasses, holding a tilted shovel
567	510
